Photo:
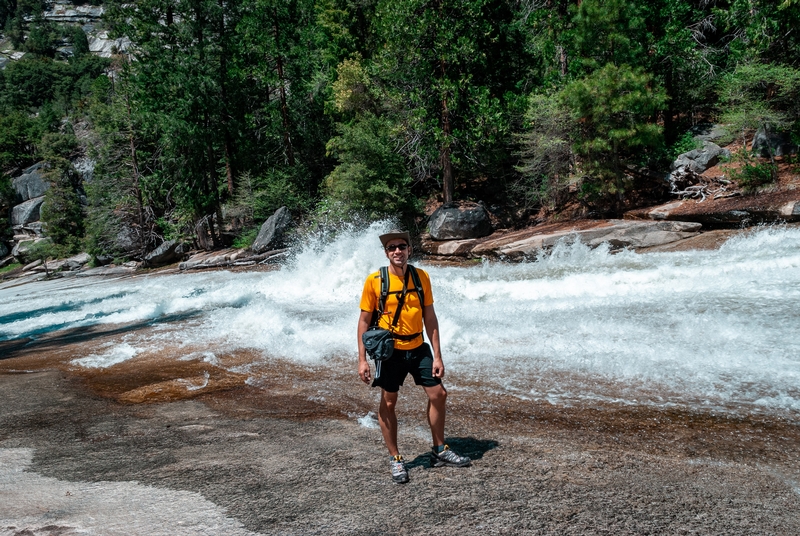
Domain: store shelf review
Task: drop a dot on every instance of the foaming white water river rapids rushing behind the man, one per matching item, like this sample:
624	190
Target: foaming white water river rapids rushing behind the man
712	330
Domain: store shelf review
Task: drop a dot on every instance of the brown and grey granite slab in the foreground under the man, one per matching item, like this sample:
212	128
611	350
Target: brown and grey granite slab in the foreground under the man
288	456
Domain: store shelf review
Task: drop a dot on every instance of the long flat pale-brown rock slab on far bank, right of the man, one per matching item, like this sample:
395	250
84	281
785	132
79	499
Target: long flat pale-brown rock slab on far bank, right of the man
529	242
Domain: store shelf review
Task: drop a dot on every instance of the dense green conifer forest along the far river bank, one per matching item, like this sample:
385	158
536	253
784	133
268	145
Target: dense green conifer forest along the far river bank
217	112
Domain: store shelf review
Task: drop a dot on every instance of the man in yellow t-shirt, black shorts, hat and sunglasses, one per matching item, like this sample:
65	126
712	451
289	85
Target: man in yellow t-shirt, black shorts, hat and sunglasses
411	354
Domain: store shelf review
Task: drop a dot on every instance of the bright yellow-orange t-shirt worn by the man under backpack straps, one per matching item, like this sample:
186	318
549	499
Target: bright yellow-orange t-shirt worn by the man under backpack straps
410	321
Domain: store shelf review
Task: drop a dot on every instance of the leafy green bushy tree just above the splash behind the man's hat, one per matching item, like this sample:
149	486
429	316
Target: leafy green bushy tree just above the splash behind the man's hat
371	177
